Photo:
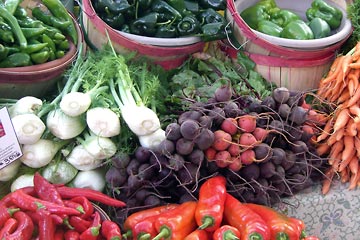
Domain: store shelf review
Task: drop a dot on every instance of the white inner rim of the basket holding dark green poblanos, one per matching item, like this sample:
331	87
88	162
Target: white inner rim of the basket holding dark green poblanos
166	42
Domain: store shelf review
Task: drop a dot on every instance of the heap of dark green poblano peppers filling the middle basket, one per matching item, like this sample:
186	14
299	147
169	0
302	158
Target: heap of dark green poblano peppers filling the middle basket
165	18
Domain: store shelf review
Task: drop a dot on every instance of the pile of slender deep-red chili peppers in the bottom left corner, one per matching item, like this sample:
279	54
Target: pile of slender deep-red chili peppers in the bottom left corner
47	211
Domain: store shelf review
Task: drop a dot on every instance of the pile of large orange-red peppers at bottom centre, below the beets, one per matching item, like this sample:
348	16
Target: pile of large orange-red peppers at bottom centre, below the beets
215	215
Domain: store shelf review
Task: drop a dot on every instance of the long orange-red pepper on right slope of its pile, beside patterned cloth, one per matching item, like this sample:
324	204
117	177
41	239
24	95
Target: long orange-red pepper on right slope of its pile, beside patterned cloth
281	227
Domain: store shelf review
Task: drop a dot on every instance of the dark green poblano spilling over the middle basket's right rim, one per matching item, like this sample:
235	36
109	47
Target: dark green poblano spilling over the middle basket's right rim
214	31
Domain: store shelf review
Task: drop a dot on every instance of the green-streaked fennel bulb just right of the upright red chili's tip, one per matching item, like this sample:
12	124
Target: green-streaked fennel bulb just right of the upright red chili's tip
60	172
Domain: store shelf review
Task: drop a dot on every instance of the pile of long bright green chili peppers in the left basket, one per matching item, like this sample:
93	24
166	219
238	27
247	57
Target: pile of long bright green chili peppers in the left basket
36	35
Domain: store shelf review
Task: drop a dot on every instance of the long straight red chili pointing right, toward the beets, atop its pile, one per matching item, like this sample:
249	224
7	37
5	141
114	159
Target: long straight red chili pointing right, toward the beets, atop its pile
93	195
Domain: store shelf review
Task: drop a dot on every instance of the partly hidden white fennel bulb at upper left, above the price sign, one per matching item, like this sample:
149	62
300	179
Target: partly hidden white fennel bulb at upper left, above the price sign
27	104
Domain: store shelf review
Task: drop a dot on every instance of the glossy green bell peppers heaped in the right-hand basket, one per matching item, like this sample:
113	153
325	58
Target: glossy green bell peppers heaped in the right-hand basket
266	17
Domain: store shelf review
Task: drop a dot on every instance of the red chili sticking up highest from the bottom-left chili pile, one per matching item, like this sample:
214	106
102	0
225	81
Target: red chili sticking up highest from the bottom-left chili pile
45	190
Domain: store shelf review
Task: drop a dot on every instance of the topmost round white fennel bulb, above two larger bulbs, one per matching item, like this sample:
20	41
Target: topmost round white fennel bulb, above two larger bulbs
75	103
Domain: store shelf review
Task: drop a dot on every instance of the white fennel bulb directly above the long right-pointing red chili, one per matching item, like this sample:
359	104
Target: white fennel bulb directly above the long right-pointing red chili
92	179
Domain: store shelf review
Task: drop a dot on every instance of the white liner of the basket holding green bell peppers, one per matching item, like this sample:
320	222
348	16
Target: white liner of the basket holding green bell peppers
300	8
